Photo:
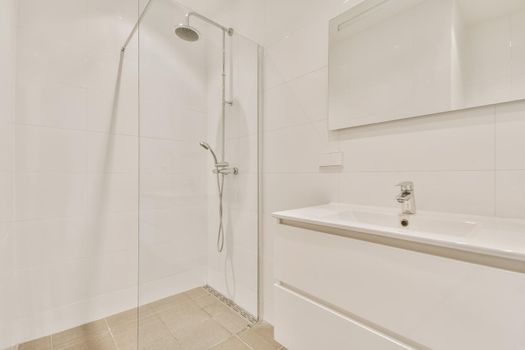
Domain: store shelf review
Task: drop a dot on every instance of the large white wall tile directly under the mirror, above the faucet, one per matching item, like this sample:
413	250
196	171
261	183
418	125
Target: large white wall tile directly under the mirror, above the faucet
456	141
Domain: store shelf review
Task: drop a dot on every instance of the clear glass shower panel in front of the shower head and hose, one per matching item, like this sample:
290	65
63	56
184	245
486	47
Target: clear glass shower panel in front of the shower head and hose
189	292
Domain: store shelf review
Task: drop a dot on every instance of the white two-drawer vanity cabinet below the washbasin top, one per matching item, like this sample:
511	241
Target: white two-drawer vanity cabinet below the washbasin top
334	292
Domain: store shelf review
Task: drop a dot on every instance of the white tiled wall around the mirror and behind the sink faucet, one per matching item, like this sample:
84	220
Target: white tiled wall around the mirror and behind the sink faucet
468	162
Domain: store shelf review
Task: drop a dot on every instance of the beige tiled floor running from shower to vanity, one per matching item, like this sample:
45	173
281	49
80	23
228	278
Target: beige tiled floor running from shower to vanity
193	320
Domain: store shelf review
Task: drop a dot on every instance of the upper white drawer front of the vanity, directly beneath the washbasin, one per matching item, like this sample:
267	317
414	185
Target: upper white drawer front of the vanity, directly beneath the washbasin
436	302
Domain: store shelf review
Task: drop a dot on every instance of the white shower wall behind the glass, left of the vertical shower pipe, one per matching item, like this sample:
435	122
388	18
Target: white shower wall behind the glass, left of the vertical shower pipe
174	168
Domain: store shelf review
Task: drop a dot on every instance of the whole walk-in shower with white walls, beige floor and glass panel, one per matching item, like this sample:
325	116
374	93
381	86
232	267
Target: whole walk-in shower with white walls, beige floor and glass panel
118	227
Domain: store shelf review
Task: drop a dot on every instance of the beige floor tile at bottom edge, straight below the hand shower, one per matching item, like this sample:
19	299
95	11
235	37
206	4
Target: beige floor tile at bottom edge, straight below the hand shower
202	336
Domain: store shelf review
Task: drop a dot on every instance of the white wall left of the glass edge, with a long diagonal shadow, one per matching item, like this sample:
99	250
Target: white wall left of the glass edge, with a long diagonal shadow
75	169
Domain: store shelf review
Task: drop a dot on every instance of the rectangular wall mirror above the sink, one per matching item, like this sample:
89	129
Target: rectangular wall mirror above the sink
396	59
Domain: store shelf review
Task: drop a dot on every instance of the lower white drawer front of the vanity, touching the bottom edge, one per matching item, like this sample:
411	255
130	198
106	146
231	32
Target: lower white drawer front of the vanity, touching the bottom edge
303	324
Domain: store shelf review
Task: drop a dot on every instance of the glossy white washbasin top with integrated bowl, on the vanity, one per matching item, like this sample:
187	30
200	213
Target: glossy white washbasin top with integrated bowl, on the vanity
487	237
